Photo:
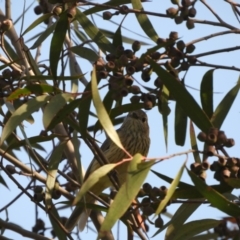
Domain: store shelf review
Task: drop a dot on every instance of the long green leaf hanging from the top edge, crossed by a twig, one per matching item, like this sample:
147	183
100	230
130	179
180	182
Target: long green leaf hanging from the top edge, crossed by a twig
143	20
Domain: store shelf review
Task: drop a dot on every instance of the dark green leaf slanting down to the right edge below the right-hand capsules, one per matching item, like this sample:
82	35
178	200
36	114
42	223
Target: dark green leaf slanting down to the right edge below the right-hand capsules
215	198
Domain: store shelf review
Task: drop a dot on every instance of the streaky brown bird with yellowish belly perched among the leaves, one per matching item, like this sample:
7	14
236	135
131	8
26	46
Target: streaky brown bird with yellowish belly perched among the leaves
134	136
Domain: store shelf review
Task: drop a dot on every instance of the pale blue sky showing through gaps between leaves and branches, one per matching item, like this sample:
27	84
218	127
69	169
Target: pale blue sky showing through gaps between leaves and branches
23	212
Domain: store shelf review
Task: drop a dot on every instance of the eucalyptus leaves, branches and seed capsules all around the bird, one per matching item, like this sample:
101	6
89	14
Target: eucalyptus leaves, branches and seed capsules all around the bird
27	86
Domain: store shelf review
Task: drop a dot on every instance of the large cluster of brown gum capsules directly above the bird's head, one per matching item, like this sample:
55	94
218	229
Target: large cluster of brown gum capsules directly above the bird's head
120	67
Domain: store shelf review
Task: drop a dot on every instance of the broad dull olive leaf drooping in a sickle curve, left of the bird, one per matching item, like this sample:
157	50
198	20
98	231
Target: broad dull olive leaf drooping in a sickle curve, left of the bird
53	107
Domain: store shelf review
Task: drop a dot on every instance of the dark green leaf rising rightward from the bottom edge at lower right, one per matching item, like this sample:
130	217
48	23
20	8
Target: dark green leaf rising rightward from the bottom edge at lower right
193	228
